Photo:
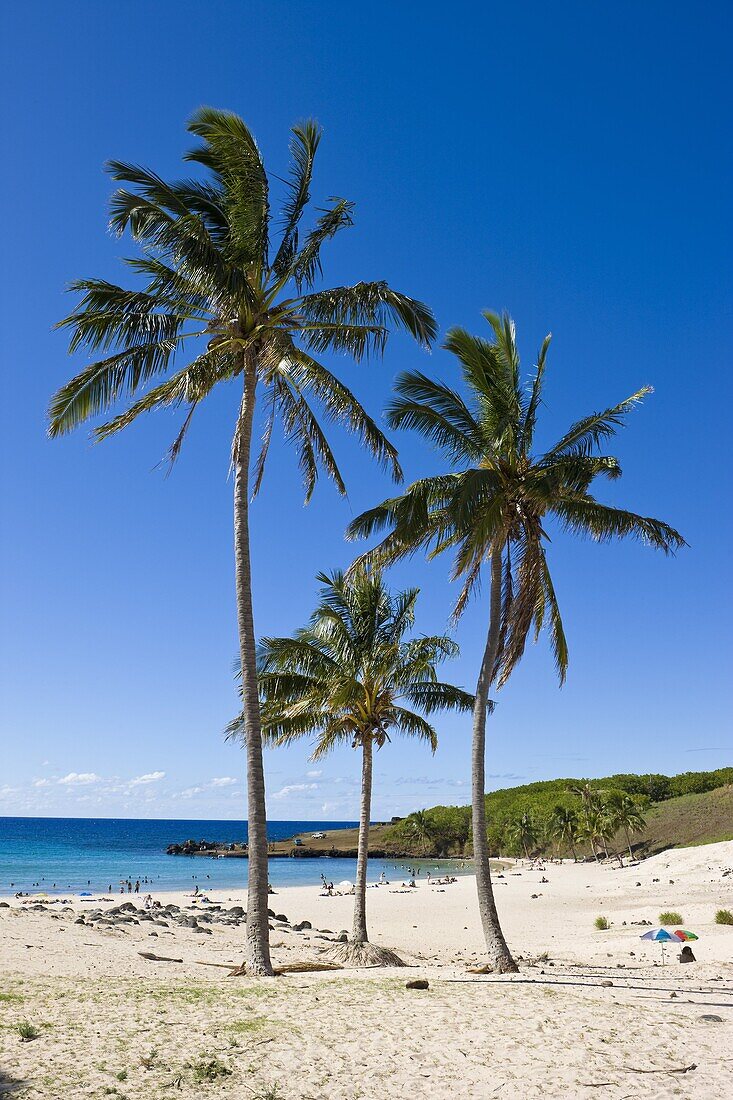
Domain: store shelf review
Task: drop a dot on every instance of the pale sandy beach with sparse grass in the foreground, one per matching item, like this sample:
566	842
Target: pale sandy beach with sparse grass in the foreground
592	1014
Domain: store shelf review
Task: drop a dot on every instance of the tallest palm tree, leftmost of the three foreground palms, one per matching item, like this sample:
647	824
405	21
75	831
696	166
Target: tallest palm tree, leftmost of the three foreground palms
238	311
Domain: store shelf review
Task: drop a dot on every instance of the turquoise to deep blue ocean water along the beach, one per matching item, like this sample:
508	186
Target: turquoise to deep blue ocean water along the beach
71	855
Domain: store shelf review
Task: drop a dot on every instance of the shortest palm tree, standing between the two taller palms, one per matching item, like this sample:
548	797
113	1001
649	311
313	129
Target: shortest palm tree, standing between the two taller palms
352	677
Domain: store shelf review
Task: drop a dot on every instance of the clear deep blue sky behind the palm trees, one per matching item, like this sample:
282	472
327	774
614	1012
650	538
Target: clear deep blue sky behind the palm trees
571	163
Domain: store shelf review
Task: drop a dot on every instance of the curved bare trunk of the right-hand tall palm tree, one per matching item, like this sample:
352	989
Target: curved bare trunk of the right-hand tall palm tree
499	954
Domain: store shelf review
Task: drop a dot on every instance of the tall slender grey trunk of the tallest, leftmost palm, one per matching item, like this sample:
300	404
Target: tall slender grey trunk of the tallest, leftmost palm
258	932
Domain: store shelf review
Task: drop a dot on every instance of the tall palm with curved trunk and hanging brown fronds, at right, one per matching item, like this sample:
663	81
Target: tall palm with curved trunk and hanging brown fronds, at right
491	509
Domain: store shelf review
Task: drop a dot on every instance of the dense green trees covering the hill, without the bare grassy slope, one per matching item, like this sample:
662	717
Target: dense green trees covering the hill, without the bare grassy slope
567	818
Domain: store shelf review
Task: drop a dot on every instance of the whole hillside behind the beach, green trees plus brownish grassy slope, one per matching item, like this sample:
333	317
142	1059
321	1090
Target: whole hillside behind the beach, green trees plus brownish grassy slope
658	811
